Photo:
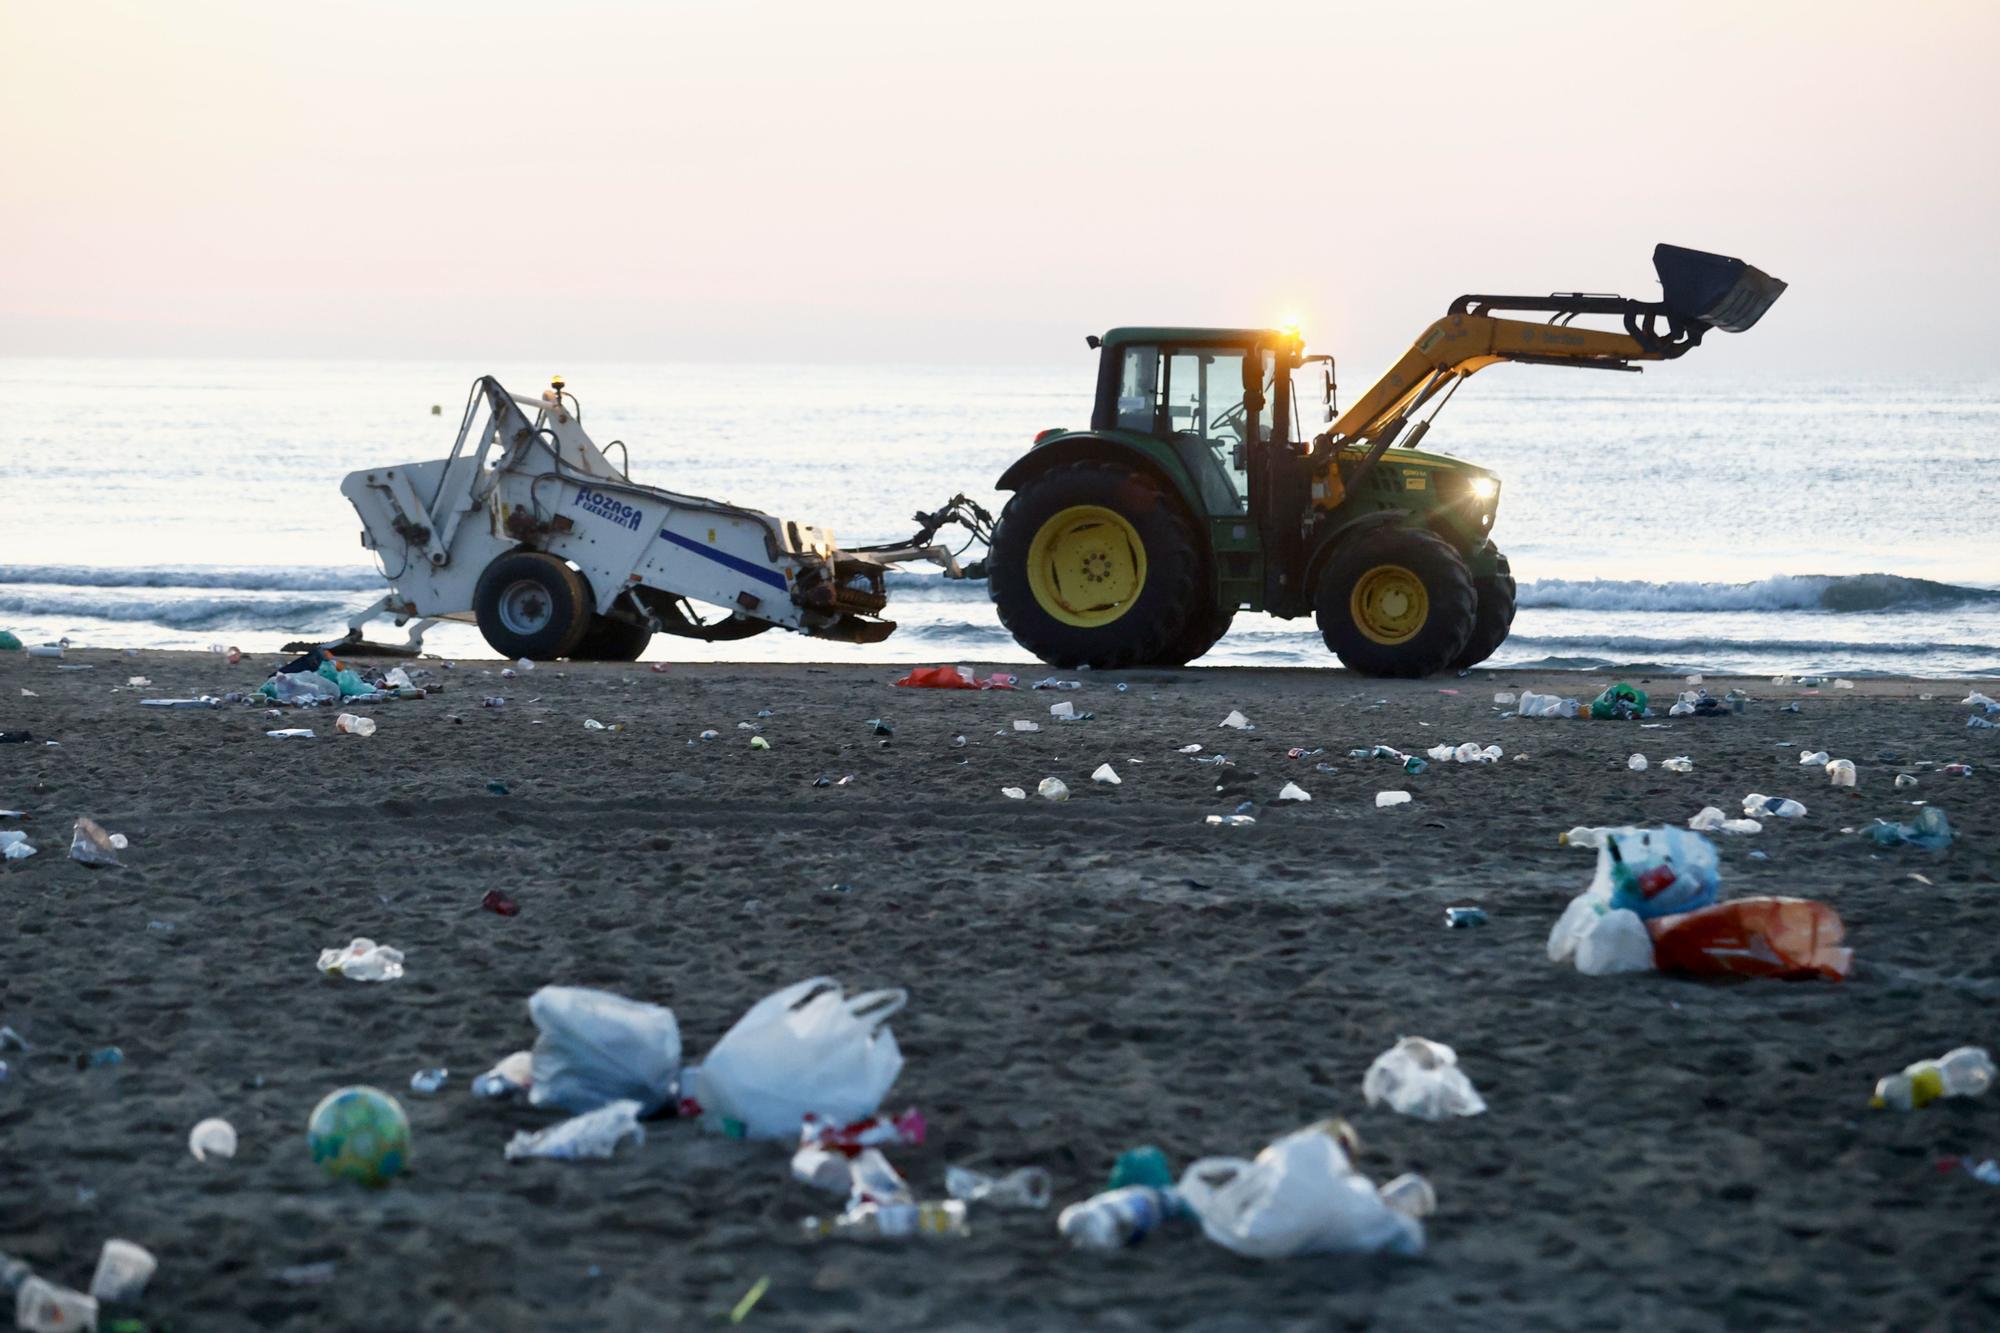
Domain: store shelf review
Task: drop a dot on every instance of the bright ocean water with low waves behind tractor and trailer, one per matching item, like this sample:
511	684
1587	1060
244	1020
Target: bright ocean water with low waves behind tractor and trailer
1671	519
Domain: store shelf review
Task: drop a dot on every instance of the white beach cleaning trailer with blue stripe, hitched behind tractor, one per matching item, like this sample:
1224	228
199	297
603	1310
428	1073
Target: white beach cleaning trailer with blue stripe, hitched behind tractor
531	531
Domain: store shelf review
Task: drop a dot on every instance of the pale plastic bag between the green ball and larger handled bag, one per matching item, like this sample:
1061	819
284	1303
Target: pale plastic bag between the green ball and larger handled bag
597	1048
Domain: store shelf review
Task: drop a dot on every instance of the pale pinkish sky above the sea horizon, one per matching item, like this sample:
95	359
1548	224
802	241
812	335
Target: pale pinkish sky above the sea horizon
979	183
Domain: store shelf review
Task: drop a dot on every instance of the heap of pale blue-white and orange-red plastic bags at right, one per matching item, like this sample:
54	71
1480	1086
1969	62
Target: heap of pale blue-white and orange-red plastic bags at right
1653	904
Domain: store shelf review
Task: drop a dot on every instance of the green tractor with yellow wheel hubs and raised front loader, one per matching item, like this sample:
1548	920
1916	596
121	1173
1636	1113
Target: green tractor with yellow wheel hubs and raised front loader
1199	489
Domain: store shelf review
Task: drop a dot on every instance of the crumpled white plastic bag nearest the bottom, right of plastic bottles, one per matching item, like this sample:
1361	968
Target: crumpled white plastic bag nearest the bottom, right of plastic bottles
1299	1198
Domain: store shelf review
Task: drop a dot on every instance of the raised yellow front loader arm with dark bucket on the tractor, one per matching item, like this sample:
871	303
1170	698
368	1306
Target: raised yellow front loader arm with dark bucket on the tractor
1699	293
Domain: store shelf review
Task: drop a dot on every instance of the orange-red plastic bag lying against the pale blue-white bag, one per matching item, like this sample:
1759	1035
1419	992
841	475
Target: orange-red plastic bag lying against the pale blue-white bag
1753	938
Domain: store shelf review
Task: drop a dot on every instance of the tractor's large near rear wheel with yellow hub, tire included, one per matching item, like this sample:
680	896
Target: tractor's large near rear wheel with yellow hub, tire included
1095	565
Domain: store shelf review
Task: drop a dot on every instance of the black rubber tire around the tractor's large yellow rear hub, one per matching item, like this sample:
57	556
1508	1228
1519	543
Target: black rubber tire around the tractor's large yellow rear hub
1169	593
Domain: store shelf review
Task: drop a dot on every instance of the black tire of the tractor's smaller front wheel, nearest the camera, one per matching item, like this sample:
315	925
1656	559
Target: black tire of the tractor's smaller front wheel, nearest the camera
1383	557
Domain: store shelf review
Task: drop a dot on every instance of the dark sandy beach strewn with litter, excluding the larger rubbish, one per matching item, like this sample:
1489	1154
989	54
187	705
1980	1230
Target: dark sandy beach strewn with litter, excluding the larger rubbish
1083	978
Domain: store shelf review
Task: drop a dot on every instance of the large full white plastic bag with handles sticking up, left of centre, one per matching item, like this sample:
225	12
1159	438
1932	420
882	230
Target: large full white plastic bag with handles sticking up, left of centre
807	1050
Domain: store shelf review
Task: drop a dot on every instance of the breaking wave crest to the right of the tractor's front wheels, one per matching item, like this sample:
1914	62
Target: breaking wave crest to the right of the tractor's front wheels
1779	593
